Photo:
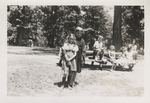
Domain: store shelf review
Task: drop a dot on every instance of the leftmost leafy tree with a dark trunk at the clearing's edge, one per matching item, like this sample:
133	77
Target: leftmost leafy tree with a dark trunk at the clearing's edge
19	17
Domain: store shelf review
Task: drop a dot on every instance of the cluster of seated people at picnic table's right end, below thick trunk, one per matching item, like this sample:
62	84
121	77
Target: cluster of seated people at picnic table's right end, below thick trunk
127	58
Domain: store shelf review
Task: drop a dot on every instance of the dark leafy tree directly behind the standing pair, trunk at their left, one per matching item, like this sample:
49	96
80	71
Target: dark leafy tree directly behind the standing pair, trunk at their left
59	19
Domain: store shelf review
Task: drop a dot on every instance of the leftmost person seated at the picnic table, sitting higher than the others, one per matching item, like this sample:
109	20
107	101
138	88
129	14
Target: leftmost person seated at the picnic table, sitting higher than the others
98	48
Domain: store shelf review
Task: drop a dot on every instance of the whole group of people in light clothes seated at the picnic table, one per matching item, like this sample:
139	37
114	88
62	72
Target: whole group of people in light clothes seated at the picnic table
126	59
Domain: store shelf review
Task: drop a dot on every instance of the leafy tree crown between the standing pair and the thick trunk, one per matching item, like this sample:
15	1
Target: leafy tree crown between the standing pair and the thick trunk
97	19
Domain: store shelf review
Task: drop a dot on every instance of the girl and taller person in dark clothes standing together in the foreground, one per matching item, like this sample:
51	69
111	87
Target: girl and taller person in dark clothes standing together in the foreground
73	57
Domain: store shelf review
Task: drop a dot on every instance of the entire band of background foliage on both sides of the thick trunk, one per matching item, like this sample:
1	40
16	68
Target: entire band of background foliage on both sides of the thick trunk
49	25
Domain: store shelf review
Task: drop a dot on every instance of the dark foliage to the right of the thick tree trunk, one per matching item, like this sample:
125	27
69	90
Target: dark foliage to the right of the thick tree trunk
133	24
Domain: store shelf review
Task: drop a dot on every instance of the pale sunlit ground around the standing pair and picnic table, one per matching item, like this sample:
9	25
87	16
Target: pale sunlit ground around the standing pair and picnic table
33	72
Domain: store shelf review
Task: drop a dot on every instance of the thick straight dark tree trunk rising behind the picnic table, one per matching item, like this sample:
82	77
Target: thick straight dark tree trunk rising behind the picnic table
117	38
